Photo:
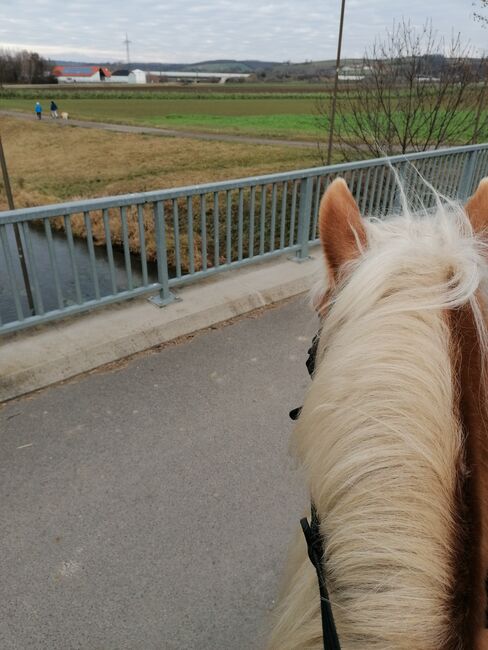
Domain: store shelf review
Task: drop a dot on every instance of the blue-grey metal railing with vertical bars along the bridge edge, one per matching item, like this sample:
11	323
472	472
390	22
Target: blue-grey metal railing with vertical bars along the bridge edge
85	254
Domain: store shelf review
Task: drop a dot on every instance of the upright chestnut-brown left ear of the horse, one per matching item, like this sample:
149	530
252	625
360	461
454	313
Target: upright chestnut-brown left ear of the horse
341	227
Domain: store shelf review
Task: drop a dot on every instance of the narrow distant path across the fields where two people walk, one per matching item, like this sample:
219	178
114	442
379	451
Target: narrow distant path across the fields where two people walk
125	128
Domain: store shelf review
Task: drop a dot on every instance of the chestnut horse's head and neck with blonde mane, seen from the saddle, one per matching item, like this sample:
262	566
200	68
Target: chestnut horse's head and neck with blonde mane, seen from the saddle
392	436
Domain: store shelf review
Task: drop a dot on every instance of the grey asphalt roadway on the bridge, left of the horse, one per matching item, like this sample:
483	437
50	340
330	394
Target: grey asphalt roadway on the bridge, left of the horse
149	507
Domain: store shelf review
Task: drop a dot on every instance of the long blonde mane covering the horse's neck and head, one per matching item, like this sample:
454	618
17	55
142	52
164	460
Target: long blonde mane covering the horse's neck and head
380	438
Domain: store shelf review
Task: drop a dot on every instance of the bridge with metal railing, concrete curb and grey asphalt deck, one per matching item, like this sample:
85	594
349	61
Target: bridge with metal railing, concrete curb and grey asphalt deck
149	502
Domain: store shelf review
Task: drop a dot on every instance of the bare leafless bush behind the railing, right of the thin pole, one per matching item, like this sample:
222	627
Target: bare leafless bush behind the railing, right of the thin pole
411	98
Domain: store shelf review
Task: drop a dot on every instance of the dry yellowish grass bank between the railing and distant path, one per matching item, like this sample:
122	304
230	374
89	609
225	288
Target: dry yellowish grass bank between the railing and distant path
52	163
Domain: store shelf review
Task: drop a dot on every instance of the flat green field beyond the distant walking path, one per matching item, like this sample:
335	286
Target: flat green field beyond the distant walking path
285	114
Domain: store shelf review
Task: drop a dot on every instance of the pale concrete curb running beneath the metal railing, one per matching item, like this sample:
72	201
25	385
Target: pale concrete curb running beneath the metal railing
53	352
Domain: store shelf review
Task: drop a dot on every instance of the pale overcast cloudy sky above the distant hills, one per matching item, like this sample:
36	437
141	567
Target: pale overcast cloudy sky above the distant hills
191	30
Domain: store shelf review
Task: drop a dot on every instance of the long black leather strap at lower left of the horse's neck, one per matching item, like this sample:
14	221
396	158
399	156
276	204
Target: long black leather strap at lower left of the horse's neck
316	555
